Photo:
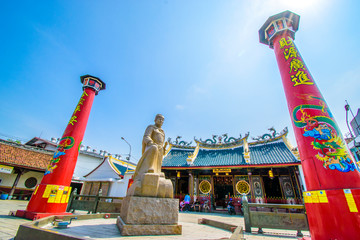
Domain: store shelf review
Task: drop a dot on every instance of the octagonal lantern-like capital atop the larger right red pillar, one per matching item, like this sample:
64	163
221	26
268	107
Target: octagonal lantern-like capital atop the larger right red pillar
285	22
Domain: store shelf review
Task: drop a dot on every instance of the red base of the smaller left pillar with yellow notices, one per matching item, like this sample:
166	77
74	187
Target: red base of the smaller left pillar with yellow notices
47	200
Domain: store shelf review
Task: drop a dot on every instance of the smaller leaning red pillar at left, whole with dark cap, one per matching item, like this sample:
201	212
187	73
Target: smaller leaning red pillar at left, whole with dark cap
51	195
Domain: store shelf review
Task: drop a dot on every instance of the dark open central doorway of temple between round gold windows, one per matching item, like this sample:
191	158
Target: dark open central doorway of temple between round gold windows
223	189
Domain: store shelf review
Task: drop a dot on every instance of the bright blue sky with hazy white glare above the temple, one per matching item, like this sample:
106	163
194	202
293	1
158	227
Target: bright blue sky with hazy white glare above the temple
199	63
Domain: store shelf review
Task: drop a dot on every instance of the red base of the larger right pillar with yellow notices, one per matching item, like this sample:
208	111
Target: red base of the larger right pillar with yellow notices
334	213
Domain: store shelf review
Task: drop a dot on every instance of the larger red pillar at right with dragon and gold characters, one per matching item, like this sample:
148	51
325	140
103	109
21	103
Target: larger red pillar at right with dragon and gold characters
332	176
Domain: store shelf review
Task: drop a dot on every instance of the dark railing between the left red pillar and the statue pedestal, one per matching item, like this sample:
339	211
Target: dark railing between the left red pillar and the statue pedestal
94	203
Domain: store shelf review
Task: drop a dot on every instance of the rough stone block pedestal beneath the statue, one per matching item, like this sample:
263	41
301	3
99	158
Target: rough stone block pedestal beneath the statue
149	216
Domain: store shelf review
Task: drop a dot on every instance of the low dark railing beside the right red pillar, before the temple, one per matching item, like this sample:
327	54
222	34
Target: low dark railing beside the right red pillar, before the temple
278	216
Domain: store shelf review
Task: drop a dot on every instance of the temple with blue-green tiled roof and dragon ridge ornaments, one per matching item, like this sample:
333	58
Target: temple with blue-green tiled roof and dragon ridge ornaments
267	169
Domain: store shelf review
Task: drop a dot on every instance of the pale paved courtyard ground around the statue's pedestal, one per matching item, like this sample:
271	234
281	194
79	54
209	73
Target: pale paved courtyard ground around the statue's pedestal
90	228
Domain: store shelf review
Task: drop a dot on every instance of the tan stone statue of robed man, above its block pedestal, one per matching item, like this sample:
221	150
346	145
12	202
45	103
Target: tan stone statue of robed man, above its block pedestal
149	181
